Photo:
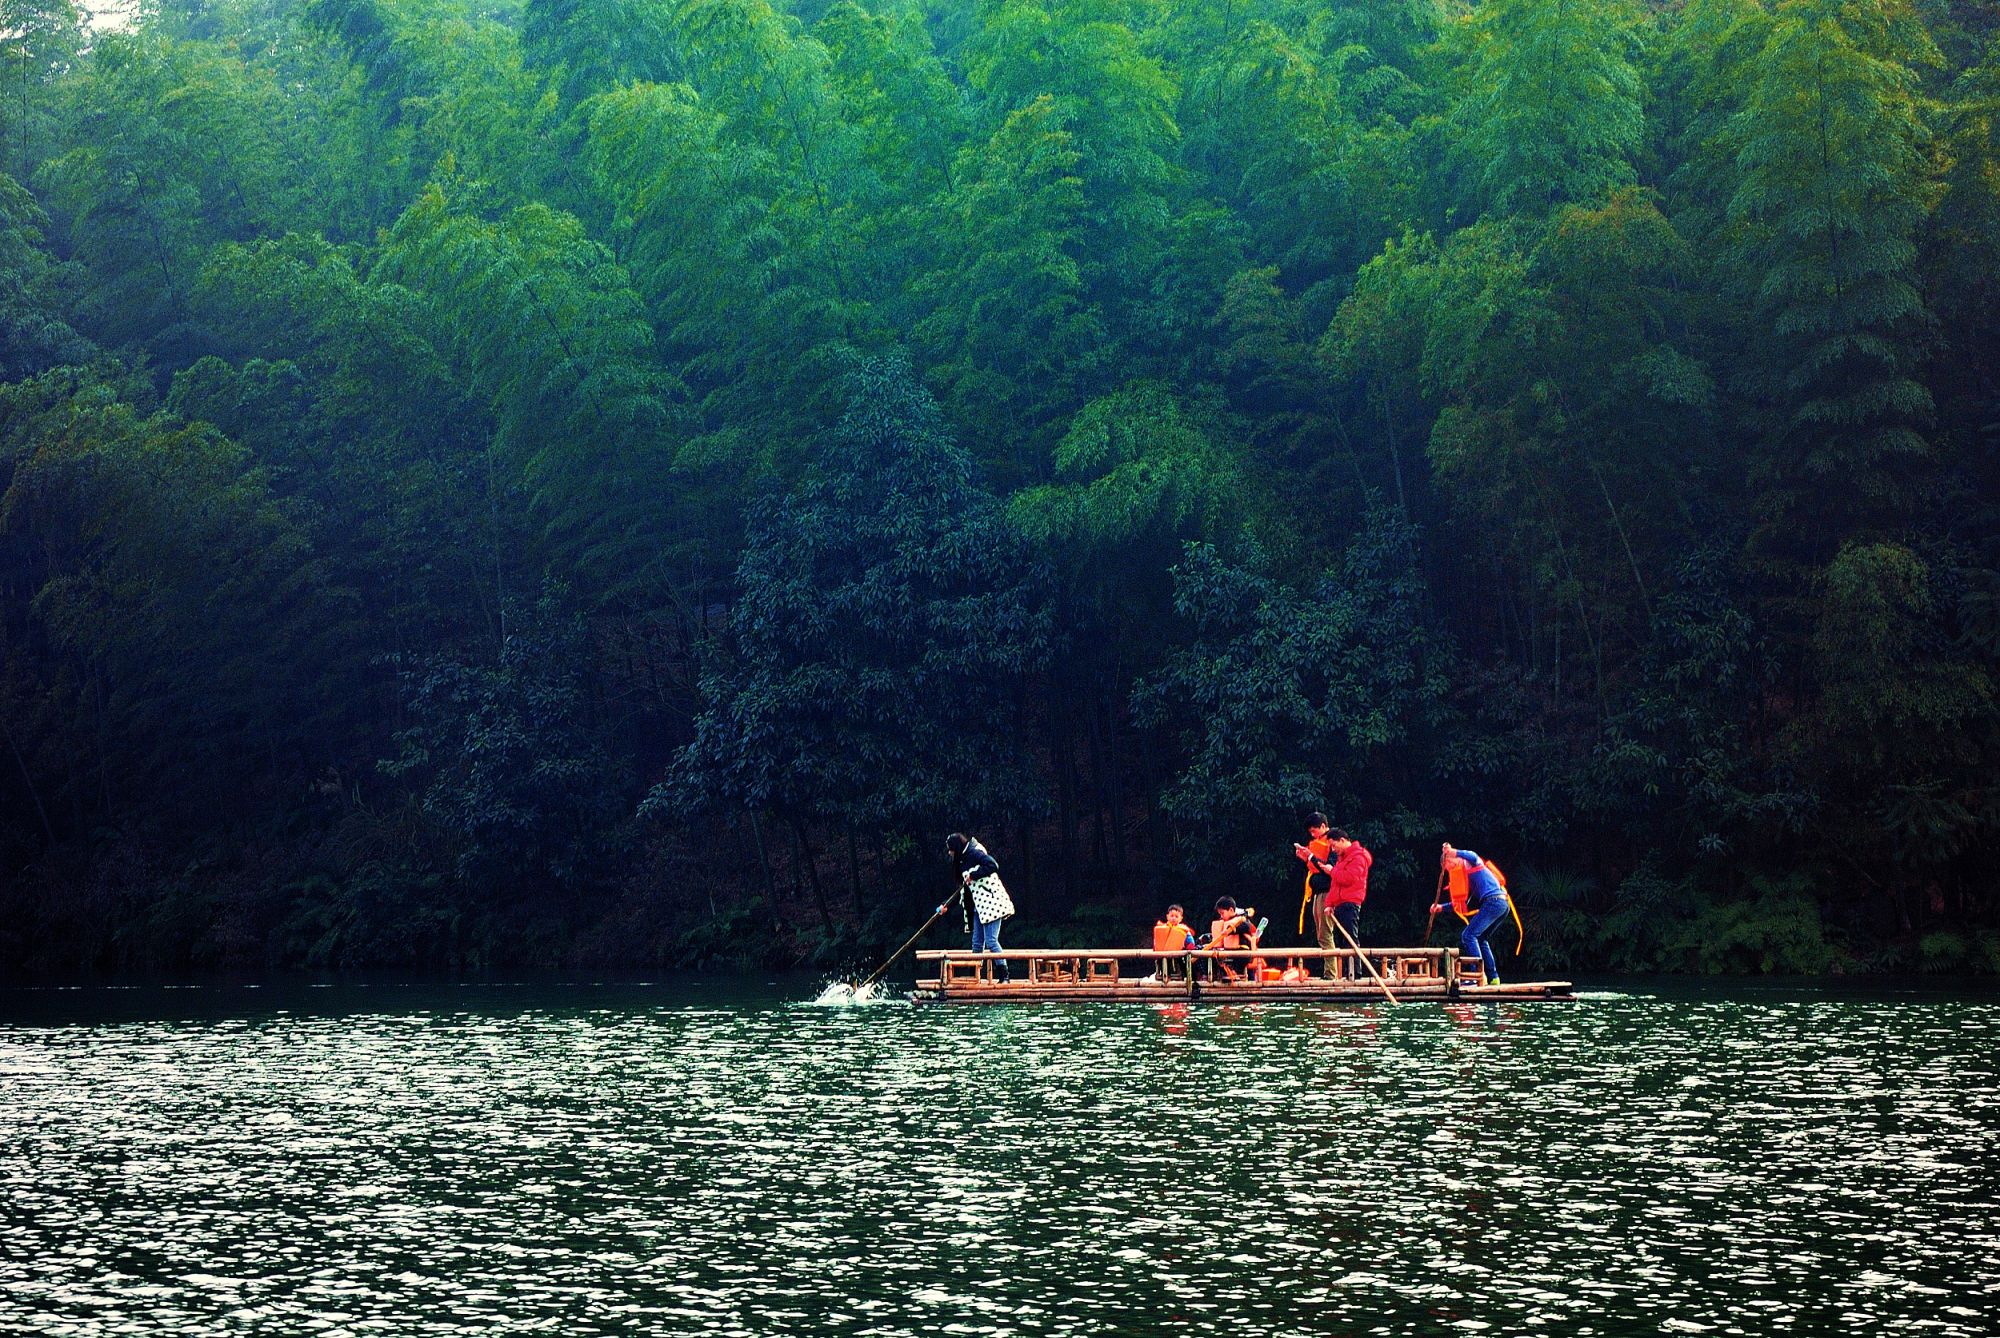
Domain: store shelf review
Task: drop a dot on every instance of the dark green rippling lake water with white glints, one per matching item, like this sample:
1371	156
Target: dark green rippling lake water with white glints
733	1159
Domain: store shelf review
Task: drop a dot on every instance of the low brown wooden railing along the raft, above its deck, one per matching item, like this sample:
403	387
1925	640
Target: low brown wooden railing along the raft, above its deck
1109	967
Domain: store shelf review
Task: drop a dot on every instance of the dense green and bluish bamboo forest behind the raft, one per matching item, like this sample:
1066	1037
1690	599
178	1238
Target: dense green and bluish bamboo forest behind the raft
617	481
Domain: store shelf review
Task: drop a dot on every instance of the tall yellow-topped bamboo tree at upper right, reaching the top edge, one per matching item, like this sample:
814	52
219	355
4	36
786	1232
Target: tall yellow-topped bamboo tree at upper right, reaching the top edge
1833	185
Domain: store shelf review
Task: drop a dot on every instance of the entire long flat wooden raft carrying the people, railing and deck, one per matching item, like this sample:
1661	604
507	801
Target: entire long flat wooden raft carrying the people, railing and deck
1269	975
